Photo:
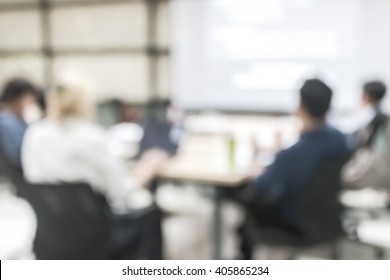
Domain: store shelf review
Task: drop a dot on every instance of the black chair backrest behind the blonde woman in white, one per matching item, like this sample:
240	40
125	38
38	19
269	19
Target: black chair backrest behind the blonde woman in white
73	220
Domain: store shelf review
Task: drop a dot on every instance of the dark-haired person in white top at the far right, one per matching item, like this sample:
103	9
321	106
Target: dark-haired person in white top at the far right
363	124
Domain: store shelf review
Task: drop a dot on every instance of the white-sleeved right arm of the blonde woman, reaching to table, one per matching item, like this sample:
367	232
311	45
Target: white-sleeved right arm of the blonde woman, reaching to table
122	188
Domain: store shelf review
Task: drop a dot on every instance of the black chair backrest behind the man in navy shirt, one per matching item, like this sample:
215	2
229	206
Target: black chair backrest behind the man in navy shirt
317	204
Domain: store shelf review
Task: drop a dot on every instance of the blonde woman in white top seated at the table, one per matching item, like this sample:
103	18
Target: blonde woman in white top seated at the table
67	147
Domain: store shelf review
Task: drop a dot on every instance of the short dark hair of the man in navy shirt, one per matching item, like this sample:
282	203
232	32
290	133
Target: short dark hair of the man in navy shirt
316	97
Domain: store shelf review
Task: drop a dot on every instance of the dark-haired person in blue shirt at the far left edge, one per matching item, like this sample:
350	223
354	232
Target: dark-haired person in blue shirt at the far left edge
18	94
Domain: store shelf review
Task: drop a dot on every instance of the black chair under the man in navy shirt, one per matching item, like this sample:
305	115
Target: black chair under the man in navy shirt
318	210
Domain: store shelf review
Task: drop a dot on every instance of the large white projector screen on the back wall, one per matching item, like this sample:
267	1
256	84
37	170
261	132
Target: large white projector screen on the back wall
254	54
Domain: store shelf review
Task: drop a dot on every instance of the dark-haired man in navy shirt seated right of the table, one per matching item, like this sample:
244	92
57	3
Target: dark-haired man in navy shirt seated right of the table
271	194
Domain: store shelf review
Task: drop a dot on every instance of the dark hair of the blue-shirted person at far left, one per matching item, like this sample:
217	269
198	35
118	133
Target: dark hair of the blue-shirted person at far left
16	88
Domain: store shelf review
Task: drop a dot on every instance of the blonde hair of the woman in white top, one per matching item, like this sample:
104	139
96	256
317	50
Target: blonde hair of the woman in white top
68	101
